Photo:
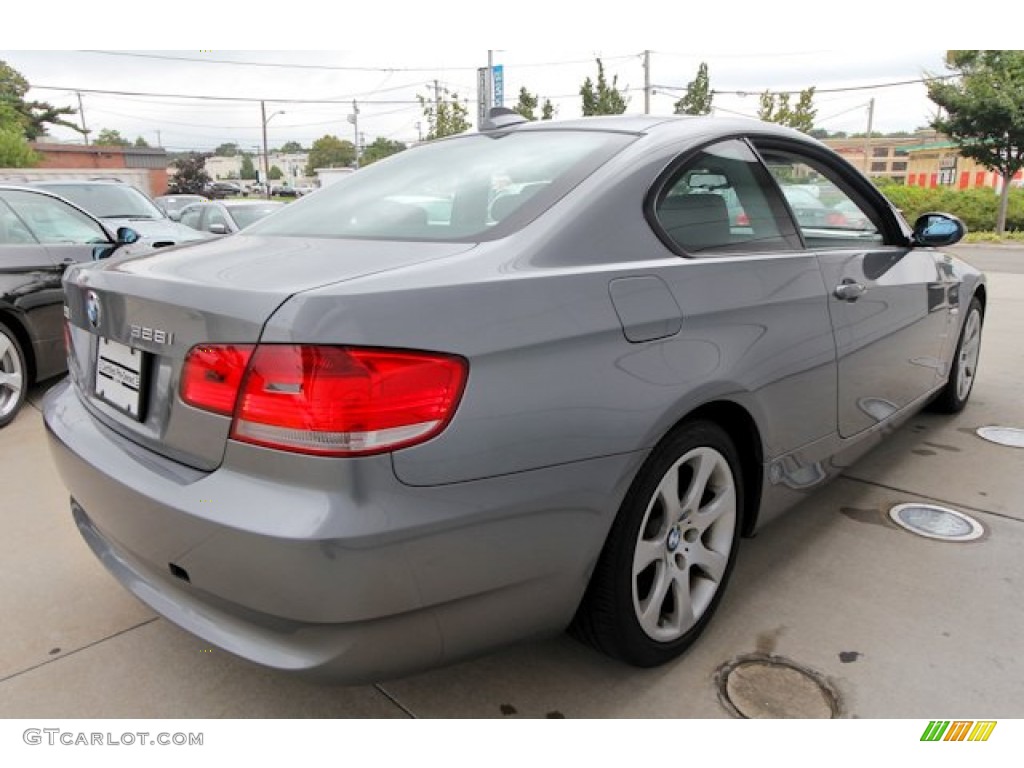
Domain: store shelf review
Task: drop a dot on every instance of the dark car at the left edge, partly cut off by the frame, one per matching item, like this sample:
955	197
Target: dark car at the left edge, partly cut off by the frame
40	236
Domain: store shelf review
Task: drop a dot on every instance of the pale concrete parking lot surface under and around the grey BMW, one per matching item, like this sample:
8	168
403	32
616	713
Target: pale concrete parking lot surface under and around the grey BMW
898	626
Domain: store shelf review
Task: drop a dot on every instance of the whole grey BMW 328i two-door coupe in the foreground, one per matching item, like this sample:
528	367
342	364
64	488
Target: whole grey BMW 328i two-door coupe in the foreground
373	435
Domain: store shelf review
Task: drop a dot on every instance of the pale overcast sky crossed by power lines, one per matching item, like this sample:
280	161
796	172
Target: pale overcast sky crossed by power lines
387	83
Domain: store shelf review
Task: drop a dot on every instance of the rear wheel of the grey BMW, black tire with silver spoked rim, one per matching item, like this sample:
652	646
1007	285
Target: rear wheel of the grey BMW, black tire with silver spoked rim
636	612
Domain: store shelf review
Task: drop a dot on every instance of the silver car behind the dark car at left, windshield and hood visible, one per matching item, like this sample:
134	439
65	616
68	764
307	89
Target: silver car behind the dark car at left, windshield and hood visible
122	205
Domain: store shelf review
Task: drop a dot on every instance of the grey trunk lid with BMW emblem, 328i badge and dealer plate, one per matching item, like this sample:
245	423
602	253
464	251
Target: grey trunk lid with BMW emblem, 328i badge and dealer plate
133	321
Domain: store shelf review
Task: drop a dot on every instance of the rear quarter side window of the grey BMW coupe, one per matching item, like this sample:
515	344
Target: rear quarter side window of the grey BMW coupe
718	202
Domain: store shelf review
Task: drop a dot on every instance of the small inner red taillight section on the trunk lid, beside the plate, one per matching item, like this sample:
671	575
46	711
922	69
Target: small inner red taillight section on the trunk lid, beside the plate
212	376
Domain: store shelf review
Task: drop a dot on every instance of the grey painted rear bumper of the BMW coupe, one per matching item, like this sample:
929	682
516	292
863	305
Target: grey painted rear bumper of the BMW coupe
347	575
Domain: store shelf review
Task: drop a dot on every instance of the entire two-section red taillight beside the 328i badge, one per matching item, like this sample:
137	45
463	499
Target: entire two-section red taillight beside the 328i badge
325	400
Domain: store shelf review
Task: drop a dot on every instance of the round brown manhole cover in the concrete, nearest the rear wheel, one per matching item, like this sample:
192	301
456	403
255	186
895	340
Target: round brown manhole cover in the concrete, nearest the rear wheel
765	688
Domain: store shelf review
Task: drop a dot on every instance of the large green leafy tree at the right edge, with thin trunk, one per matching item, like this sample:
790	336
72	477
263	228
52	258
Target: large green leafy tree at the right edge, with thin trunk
985	112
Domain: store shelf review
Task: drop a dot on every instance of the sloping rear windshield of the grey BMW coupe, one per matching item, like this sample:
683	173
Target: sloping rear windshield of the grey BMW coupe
468	189
